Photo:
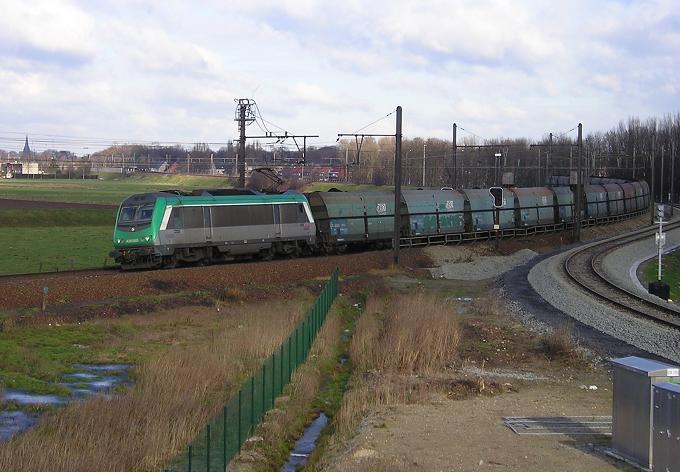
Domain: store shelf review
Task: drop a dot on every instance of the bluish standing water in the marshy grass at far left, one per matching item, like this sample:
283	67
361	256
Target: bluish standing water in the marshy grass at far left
89	380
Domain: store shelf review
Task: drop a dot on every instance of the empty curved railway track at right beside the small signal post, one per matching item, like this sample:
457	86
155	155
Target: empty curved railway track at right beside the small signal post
584	267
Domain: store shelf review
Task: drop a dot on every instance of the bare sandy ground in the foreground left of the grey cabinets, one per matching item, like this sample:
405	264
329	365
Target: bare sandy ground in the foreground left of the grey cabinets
469	435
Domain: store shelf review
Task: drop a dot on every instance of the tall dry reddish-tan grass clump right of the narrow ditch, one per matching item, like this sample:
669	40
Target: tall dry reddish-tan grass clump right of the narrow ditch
398	349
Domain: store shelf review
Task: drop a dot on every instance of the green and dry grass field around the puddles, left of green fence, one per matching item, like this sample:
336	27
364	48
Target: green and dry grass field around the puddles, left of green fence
187	362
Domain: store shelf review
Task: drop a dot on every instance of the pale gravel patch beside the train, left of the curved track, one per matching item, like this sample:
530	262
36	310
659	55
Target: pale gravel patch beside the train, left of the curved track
478	268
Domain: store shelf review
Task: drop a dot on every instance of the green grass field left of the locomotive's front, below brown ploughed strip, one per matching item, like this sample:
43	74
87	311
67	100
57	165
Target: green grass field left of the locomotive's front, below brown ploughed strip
58	248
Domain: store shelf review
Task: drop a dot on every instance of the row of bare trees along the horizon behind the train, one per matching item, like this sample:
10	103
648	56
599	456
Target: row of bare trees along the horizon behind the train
630	150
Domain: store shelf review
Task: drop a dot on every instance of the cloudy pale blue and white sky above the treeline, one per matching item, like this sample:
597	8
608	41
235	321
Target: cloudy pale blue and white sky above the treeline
170	70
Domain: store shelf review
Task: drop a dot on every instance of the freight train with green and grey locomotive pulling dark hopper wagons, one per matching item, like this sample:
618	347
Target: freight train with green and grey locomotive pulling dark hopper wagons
163	229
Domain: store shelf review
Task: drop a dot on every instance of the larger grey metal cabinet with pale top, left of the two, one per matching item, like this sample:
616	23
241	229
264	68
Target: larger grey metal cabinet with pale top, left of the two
632	407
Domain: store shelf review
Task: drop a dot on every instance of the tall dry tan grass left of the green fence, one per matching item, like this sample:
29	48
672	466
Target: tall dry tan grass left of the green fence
178	392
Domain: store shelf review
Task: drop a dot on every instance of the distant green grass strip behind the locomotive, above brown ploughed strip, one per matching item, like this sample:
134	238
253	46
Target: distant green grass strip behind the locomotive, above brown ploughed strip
110	190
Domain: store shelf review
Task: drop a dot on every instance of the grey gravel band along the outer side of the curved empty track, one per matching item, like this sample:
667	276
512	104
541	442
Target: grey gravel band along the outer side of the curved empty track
547	280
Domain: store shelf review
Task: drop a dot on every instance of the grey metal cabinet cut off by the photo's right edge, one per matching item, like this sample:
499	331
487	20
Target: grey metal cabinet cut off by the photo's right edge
665	427
